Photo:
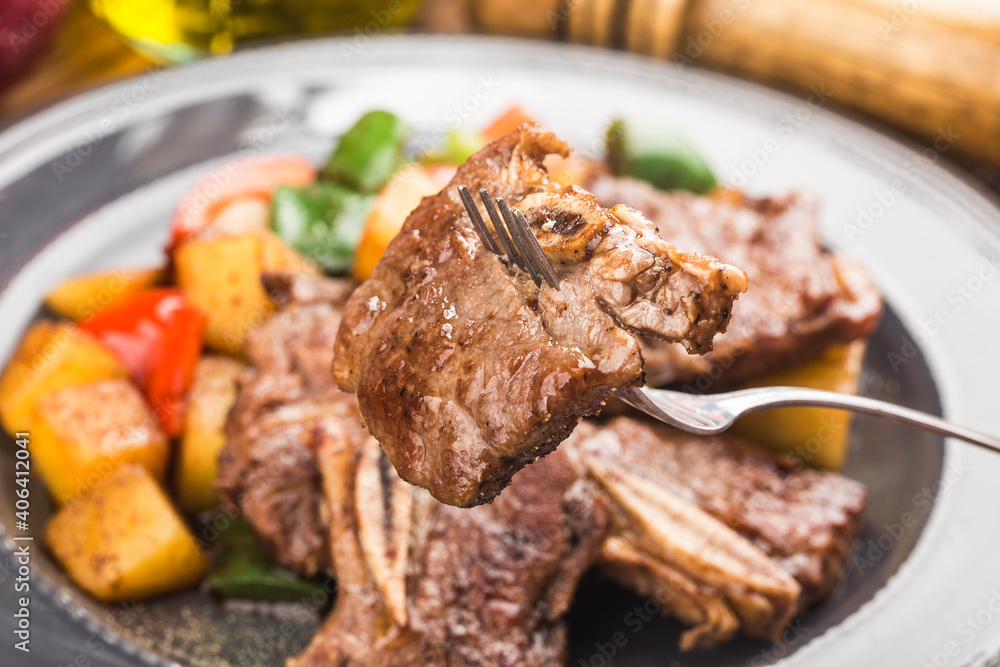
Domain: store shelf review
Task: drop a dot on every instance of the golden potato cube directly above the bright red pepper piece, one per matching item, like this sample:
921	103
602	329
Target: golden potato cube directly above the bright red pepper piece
221	277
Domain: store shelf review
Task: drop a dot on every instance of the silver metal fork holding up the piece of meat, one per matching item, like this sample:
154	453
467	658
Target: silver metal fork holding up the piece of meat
695	413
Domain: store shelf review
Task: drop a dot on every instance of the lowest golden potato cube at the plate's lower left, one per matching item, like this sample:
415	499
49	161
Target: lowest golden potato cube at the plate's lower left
124	540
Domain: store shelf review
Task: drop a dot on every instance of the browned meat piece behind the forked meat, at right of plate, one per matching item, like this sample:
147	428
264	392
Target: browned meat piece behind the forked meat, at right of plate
801	300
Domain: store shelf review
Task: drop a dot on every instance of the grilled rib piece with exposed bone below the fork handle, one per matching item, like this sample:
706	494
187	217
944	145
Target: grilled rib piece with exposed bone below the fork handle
728	539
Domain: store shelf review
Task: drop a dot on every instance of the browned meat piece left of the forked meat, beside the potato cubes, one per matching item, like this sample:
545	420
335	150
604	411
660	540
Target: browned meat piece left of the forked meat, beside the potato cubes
286	401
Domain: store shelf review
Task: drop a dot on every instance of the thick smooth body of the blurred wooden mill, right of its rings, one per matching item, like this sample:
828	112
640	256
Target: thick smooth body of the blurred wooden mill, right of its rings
932	74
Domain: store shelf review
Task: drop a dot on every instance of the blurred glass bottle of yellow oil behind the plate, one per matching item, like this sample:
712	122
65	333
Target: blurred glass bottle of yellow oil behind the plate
181	30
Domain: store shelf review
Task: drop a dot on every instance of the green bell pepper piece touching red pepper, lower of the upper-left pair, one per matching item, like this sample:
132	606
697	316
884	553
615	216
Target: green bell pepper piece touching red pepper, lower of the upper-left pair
324	222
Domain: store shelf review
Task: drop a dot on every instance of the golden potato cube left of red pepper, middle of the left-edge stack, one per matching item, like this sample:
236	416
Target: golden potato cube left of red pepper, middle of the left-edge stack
84	432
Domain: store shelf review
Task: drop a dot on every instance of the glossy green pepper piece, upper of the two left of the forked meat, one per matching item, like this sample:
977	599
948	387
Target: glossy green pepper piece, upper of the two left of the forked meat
368	153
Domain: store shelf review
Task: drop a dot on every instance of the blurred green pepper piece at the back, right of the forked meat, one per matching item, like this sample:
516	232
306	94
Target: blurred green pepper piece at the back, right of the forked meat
664	161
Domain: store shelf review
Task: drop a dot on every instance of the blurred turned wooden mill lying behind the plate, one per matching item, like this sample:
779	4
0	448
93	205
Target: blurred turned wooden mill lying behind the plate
932	69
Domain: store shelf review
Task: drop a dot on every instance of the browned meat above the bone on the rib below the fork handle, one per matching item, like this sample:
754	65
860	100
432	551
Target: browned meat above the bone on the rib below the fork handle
802	519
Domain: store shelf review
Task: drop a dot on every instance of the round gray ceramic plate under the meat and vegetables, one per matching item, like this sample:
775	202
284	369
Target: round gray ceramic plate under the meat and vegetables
90	184
